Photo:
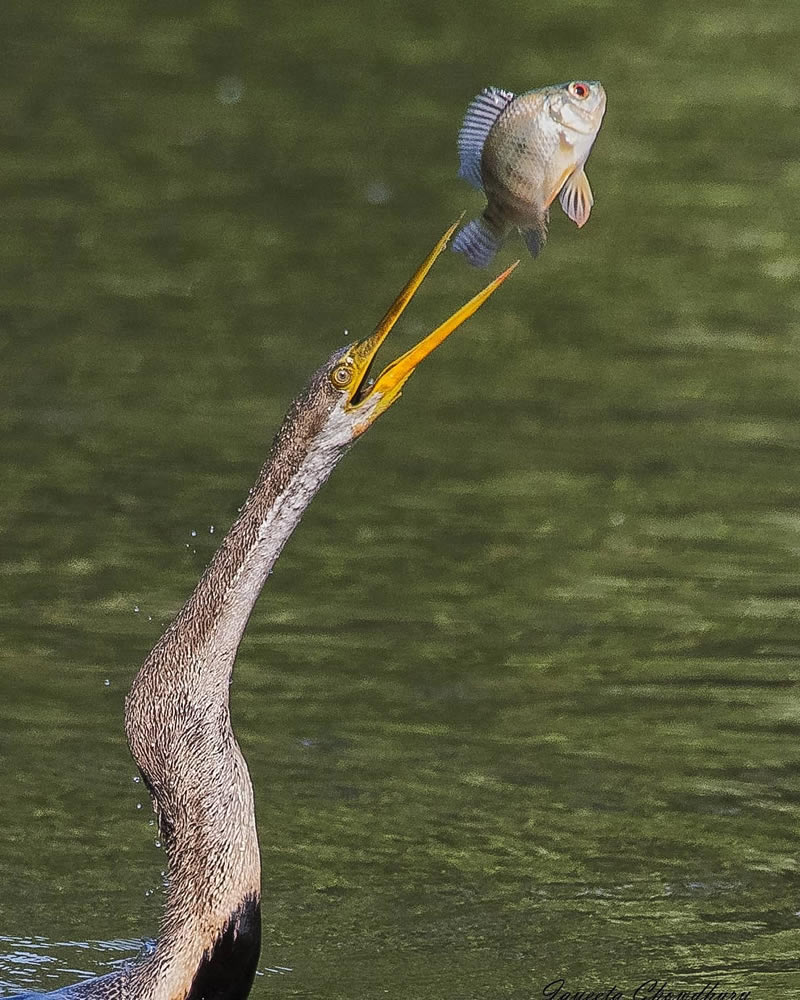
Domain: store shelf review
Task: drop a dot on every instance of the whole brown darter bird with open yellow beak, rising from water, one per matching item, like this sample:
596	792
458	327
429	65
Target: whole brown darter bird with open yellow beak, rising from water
177	715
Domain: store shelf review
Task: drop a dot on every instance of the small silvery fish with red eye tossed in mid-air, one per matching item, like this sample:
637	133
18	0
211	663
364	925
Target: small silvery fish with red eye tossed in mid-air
522	152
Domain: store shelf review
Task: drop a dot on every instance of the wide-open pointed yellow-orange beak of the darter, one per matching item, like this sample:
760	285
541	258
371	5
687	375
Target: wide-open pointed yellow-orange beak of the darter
389	384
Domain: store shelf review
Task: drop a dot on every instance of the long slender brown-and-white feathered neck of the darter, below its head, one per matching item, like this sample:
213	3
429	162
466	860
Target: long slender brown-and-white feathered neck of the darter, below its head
180	734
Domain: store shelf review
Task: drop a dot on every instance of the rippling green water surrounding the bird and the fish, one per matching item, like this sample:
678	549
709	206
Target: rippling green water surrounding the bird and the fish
521	699
